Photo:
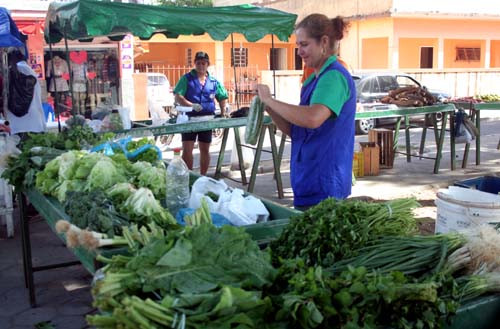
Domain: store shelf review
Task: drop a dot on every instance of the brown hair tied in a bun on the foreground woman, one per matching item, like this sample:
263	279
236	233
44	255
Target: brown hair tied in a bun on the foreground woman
318	25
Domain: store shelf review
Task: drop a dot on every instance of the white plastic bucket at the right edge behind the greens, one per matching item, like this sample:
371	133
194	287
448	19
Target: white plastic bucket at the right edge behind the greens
459	208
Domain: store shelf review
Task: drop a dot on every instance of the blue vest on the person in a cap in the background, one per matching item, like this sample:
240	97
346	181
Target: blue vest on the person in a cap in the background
204	95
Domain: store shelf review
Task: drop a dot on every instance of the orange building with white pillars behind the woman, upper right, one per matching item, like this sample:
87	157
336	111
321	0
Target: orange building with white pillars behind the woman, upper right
401	34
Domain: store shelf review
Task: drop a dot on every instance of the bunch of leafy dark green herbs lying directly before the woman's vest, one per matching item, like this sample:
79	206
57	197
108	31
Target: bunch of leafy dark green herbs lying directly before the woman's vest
335	229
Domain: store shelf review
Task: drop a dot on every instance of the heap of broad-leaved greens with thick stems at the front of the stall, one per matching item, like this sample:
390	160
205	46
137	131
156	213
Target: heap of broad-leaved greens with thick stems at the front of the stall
200	276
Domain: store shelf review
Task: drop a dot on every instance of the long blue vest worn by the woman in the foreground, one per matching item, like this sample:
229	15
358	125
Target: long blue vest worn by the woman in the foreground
321	160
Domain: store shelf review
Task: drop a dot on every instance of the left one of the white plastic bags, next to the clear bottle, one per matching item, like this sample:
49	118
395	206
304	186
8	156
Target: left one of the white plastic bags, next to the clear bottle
201	187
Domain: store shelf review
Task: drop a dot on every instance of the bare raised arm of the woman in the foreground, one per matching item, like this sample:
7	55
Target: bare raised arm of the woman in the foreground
309	116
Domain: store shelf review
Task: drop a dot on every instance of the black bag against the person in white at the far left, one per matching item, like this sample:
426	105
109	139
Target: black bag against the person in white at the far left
21	91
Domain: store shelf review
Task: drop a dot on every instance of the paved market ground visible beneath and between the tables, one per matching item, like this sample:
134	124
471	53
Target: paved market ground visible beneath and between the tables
63	295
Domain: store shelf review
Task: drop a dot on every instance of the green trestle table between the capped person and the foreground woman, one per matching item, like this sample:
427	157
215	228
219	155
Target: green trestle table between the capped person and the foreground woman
225	124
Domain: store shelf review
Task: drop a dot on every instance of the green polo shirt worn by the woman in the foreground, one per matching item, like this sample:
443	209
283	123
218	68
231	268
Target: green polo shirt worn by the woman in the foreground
332	89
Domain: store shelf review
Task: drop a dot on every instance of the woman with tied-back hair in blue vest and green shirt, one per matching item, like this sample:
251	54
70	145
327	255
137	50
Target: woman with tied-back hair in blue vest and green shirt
322	126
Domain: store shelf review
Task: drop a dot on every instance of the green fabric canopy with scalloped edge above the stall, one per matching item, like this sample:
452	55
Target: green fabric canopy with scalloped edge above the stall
85	19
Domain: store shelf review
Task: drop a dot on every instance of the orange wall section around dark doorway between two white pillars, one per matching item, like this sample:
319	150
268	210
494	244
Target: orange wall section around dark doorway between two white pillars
409	52
